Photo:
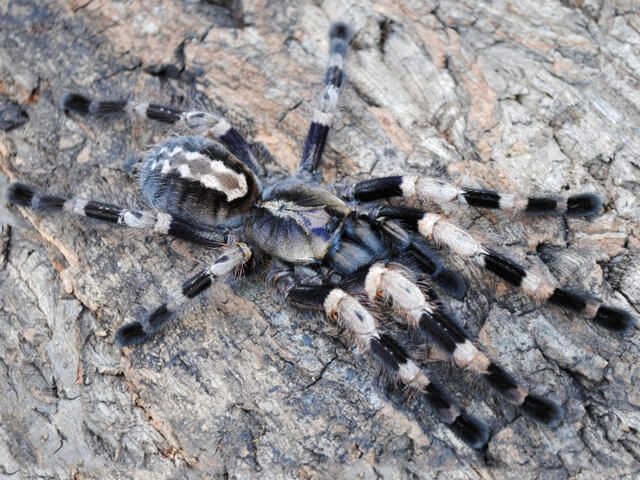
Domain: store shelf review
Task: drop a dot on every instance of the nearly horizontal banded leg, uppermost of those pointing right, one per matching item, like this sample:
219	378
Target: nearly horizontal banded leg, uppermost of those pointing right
439	192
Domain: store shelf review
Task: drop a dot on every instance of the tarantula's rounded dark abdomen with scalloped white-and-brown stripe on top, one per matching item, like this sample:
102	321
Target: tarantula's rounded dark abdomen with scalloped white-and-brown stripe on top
196	179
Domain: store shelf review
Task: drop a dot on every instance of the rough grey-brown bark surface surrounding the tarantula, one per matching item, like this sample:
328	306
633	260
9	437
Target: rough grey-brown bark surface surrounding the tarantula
514	95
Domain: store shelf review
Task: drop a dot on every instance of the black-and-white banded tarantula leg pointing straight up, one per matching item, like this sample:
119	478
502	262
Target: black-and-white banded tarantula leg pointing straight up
327	101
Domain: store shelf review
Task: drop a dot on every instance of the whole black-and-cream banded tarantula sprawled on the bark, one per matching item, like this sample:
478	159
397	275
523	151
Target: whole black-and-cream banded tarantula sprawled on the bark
332	248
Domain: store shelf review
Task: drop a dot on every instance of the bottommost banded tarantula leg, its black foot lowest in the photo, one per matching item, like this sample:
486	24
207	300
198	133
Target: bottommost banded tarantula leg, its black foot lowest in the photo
354	317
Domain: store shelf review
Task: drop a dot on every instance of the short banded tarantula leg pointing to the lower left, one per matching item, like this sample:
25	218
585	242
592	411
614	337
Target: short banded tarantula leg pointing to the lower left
137	332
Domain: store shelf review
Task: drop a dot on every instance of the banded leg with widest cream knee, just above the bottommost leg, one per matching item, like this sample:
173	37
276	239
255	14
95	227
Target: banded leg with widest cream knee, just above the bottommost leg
428	316
